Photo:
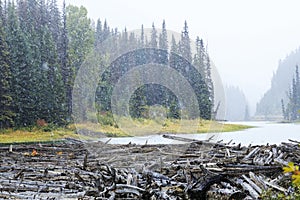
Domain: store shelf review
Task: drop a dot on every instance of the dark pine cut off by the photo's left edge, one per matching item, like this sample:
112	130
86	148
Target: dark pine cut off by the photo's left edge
6	113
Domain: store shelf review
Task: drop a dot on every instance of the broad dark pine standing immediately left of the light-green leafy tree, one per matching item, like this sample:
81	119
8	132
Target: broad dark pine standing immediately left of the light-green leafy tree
51	92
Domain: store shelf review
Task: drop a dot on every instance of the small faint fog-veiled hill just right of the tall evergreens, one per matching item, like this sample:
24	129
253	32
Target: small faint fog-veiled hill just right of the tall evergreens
236	104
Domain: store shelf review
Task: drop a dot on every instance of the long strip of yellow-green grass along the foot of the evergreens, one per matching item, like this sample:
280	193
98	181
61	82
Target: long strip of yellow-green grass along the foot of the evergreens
125	128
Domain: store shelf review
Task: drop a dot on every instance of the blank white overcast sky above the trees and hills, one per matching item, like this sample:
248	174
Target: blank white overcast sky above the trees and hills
246	38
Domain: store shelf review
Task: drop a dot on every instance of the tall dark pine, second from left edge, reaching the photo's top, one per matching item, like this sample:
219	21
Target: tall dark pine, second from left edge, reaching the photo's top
22	70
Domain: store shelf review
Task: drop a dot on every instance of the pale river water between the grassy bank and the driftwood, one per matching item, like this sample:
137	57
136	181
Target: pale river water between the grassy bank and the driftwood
262	133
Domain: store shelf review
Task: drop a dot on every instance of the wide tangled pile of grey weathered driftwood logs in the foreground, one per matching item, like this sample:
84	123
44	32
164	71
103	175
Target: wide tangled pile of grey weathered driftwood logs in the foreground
96	170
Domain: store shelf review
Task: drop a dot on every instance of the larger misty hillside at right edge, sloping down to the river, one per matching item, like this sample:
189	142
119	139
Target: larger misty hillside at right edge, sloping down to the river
269	107
